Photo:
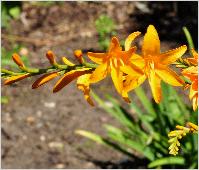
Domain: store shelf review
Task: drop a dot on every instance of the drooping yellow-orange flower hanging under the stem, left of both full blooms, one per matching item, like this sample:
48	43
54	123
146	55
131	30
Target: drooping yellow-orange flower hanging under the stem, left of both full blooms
83	84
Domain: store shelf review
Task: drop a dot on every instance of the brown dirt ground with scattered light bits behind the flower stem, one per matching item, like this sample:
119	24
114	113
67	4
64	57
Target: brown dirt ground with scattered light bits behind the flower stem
38	126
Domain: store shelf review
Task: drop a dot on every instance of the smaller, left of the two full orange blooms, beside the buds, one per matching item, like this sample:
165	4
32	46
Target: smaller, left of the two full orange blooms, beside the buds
111	62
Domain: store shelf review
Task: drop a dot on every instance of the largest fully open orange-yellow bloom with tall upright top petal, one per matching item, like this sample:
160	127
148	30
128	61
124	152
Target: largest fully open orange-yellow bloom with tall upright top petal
155	64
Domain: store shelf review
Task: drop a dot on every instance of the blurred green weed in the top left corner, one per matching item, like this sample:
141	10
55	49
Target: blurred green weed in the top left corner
9	10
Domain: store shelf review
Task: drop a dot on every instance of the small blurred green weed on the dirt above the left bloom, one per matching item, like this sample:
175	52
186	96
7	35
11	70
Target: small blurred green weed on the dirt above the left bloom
106	28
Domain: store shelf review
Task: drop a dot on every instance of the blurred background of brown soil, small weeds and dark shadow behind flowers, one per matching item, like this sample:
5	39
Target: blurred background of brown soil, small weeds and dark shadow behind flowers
38	126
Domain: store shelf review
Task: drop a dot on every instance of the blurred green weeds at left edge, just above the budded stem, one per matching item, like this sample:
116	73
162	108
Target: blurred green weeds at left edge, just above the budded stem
6	59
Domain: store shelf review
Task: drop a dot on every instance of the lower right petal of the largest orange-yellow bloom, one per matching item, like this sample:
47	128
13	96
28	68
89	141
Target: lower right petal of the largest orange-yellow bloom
169	76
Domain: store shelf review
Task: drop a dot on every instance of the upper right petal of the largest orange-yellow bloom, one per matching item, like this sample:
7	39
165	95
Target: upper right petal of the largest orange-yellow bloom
171	56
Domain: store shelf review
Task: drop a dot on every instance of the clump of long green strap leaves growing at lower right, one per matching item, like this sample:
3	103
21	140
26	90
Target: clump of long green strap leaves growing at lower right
145	128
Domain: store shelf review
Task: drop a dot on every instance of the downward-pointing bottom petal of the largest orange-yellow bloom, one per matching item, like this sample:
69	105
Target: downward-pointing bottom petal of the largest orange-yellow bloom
155	84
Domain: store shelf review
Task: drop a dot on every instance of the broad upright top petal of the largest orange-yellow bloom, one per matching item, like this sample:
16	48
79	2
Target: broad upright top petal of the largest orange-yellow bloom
151	44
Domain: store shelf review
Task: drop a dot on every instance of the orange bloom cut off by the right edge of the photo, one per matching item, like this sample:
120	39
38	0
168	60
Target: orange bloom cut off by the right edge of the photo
192	74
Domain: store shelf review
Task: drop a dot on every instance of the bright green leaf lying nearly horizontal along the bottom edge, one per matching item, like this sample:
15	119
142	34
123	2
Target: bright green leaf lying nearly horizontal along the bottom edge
167	161
